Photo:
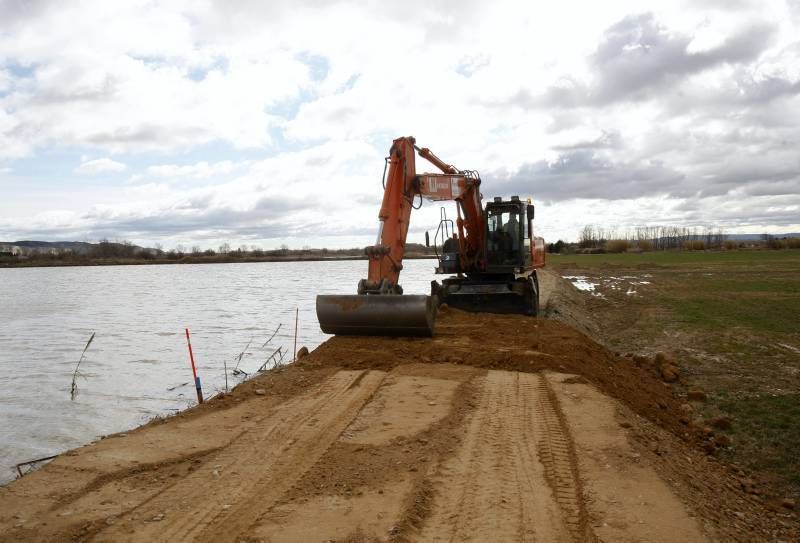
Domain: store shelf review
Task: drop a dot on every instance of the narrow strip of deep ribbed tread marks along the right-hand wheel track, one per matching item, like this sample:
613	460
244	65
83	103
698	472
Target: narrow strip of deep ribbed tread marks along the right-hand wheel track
557	455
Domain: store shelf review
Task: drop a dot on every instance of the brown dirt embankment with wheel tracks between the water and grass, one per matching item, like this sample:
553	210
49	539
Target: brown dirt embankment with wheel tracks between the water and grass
501	427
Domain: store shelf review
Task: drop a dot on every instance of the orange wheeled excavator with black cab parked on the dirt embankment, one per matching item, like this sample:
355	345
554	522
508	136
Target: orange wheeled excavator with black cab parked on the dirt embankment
490	253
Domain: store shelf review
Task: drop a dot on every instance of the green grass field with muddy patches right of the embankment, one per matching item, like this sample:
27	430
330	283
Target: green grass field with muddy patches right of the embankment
733	320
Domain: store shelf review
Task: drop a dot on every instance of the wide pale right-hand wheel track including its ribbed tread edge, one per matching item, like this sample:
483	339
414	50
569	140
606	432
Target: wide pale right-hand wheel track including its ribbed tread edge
497	487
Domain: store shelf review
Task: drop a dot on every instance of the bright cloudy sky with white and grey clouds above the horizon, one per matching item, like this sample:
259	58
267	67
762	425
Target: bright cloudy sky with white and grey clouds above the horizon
264	123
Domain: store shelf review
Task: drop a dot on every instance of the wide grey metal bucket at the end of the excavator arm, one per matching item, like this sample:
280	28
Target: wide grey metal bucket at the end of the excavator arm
376	315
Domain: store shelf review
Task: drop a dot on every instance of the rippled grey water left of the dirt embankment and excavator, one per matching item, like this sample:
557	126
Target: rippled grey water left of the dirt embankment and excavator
137	366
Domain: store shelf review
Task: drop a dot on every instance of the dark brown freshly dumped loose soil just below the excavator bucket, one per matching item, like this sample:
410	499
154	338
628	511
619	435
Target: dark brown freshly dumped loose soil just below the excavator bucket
526	345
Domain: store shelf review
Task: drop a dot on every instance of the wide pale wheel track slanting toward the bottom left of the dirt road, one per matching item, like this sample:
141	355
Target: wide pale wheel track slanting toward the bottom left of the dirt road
225	496
